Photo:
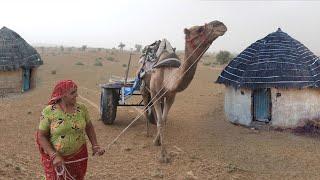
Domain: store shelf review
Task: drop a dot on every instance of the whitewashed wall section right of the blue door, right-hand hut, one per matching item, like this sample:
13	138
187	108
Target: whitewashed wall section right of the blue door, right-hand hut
294	106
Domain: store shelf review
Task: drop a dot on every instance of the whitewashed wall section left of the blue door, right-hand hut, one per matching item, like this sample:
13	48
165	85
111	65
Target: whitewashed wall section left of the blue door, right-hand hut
237	106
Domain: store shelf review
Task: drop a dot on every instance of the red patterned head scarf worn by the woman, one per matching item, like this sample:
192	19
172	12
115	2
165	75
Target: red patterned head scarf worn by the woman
60	89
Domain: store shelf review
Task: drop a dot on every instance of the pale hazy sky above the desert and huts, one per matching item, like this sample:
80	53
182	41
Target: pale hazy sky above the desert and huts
106	23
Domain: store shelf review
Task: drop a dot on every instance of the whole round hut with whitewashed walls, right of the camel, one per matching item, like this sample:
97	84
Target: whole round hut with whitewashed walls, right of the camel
275	80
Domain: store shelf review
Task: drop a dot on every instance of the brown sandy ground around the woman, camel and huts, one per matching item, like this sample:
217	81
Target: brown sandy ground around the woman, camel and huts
203	144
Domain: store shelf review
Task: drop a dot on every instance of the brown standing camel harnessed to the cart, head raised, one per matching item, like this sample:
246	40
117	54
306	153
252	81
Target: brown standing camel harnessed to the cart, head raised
163	83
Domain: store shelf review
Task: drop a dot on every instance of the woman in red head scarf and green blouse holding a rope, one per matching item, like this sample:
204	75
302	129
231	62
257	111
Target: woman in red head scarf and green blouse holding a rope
61	135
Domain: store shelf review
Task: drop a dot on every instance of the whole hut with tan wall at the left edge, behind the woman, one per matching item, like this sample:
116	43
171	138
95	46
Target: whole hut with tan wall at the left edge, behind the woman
18	63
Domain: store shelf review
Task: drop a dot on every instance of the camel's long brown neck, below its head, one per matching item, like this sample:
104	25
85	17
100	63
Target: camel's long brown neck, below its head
188	66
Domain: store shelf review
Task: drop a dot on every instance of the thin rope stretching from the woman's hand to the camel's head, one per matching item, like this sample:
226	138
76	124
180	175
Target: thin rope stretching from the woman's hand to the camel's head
133	121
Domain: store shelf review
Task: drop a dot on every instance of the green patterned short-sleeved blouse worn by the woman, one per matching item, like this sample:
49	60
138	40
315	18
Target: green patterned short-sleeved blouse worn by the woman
67	130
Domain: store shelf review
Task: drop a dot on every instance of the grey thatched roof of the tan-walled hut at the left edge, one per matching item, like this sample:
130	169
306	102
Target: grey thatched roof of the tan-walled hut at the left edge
15	52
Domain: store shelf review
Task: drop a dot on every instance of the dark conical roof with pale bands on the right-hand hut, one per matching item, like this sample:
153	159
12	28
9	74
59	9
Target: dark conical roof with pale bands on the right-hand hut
277	60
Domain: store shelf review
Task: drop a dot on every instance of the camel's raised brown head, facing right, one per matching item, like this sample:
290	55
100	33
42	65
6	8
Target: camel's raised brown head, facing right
204	34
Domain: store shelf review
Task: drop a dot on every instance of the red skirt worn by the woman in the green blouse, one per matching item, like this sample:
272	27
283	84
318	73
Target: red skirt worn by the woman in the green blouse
76	169
